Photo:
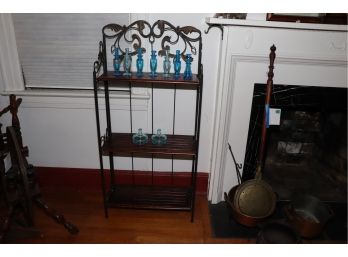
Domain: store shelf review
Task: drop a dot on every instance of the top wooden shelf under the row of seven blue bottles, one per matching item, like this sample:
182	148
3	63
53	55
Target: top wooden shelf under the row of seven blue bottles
146	78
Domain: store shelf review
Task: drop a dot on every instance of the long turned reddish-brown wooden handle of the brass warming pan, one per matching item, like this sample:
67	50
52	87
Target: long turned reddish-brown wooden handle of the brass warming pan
269	87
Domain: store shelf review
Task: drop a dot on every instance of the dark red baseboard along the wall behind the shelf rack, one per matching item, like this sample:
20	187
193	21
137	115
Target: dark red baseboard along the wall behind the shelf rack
90	179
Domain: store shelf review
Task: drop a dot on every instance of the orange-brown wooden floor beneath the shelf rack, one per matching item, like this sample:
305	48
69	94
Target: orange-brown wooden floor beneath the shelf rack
85	210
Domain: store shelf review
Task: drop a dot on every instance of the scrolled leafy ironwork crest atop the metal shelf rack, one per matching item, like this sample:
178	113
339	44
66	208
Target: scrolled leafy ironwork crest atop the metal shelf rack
138	30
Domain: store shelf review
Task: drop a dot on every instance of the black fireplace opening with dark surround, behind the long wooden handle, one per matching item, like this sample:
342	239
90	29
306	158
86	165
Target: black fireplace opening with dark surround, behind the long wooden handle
307	151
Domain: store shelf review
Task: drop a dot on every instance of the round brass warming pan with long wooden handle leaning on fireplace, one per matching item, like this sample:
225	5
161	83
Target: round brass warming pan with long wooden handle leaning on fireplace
254	199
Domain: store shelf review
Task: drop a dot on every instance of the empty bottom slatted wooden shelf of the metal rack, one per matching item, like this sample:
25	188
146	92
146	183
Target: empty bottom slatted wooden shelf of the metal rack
150	197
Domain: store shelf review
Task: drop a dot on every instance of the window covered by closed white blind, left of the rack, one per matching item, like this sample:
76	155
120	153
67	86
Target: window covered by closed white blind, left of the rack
58	50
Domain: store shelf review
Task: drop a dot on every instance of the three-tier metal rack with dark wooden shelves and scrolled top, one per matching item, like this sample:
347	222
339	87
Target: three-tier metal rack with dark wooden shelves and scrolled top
150	195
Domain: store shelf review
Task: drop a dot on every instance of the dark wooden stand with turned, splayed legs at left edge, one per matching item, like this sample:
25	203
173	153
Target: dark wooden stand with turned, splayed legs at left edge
20	188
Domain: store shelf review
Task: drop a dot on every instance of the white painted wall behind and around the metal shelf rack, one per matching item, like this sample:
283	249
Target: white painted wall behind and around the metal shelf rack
61	130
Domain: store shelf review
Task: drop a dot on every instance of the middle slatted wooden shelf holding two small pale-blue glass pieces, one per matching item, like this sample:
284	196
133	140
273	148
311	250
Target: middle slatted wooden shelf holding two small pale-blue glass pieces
178	146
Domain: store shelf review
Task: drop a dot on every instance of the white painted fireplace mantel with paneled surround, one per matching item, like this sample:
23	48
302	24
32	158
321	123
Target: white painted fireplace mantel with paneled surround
306	55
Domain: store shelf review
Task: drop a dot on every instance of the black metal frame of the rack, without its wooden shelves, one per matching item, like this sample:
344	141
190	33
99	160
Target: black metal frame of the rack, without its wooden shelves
133	34
